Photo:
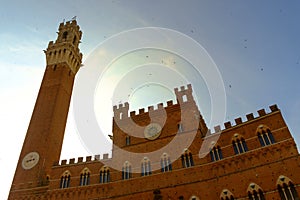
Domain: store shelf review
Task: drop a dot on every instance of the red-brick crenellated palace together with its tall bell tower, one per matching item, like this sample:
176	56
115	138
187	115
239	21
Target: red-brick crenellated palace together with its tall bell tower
177	157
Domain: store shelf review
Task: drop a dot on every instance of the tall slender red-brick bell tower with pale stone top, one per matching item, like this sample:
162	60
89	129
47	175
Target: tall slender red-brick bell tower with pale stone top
44	138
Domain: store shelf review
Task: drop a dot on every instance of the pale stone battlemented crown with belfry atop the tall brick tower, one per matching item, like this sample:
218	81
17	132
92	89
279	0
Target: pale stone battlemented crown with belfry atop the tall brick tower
65	50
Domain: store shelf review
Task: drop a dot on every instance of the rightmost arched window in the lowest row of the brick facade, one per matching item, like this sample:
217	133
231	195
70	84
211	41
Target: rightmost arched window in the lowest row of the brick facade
286	189
